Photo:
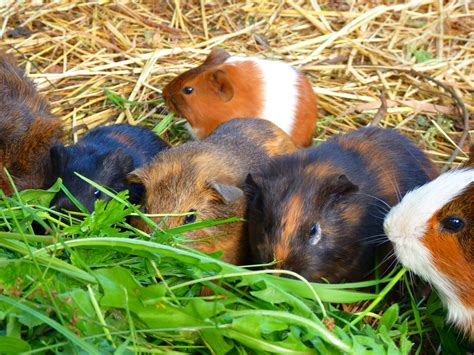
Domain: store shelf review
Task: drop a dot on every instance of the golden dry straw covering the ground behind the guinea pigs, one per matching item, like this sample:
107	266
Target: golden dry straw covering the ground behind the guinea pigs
350	50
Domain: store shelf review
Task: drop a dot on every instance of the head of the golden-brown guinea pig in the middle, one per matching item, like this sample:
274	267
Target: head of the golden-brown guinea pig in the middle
202	186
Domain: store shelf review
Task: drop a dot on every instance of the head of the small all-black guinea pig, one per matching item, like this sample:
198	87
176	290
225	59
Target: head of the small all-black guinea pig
108	170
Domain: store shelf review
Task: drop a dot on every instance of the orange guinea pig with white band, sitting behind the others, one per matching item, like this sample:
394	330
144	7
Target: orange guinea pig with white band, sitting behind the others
225	87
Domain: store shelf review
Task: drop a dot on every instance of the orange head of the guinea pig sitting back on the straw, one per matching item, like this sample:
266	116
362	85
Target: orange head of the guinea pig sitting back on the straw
199	93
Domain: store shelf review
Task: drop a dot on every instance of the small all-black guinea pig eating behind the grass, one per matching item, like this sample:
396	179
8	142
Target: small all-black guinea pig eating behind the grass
105	155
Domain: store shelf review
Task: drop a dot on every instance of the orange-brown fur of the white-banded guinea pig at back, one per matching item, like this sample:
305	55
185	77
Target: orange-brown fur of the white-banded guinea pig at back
237	95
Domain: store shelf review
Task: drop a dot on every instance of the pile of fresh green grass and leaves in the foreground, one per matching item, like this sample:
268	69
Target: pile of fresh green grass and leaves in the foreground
97	285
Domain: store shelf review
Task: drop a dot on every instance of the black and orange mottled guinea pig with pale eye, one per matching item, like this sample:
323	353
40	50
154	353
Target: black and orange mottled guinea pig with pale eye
319	211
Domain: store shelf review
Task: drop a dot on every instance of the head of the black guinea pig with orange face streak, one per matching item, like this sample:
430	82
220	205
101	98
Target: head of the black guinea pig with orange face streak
304	225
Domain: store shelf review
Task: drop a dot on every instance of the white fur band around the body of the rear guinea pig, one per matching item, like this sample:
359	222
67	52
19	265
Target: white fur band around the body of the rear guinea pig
280	91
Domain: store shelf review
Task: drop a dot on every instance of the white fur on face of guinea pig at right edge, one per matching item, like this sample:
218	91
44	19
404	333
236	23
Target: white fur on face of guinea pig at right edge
405	226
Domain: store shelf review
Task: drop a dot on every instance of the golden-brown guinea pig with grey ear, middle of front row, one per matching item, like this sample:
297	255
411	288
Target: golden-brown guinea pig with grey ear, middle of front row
206	178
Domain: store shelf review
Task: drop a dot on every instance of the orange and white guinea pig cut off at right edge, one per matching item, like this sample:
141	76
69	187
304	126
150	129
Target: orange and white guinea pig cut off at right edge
432	230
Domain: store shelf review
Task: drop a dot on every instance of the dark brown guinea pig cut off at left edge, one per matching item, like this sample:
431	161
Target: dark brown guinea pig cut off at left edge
28	130
